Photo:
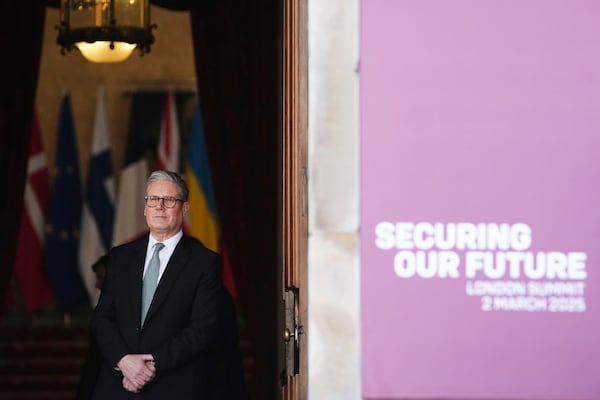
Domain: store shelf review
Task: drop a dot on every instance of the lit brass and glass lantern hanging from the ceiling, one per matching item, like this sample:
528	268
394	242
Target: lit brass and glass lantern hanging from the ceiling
105	31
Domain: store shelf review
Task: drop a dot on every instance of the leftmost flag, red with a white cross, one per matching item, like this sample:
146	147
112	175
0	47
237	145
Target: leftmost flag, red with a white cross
29	271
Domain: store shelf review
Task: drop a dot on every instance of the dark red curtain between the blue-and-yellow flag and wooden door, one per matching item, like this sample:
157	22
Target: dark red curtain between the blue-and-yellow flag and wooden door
236	54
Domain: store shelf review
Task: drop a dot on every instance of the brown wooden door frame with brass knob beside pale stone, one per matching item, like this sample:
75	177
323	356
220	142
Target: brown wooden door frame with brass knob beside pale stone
294	202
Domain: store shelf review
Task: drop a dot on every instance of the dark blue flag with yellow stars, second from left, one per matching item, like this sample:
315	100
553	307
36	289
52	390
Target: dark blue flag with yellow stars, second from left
64	216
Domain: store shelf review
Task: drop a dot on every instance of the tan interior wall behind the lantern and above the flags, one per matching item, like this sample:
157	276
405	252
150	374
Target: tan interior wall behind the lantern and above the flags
170	63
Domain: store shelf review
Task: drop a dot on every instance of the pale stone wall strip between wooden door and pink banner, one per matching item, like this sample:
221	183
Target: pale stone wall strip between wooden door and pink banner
333	256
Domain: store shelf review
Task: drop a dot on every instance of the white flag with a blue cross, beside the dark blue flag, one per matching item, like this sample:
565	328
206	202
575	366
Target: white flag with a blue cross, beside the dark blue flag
98	204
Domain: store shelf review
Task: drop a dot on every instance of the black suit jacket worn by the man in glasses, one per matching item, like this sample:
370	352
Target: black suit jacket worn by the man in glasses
181	328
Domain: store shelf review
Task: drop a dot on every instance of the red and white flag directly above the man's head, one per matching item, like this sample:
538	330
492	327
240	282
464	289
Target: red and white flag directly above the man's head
169	141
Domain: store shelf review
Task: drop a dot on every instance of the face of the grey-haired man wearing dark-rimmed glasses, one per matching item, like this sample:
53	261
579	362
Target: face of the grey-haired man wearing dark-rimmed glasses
165	222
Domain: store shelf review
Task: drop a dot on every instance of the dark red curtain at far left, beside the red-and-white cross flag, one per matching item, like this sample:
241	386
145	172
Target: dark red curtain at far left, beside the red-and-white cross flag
21	32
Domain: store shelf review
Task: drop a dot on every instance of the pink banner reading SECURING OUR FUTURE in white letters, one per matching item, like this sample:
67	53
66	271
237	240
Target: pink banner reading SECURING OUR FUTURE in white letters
480	207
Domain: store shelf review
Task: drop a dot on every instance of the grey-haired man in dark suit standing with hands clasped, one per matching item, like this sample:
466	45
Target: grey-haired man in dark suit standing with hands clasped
166	354
